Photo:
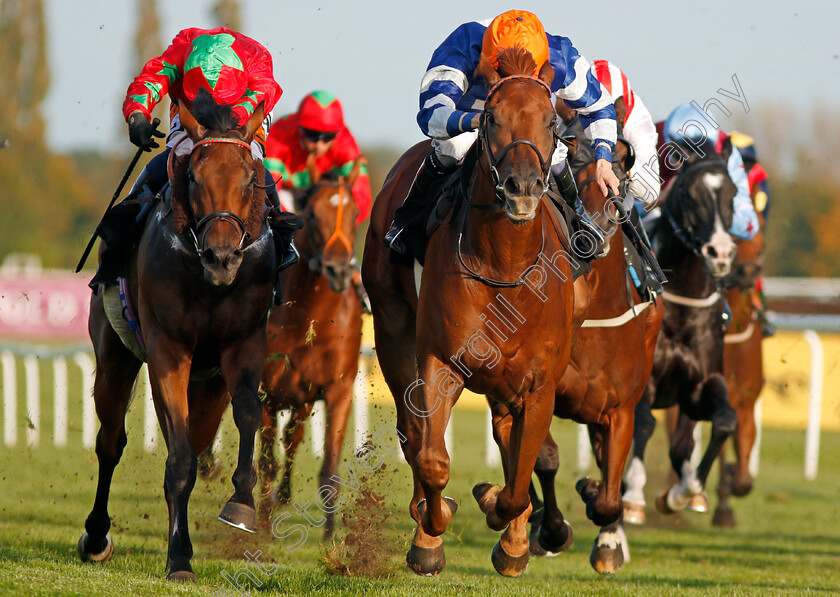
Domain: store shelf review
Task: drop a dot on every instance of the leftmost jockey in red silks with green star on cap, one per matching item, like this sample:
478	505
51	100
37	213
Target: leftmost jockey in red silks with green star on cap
236	71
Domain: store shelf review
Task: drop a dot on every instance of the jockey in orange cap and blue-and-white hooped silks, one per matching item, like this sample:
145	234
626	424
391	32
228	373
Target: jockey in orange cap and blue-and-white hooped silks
452	99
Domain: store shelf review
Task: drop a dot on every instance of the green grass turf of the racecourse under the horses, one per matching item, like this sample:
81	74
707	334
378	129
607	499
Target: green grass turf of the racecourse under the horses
787	541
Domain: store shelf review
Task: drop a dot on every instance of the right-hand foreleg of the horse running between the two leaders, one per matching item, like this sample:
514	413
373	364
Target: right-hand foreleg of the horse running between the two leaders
339	399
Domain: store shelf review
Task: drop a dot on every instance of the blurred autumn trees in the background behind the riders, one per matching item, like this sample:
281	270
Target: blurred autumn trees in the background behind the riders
51	202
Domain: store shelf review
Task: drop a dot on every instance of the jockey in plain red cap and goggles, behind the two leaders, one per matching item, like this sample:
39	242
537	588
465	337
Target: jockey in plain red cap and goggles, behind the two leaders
317	129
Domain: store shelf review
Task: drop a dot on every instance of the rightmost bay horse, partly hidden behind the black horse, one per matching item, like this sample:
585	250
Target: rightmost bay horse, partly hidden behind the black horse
742	367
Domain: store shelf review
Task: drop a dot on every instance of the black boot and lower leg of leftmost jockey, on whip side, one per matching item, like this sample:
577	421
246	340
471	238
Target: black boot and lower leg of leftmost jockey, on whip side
122	224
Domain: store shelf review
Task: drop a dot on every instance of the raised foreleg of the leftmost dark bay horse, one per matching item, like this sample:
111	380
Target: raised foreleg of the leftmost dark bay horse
242	364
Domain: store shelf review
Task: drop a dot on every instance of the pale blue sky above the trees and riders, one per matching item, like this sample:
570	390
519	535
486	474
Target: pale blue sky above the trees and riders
372	54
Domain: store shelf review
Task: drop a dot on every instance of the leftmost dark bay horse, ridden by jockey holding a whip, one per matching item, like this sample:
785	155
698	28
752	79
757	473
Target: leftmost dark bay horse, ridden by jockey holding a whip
201	279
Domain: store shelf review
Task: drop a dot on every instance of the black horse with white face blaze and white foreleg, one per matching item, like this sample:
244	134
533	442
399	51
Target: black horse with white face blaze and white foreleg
694	246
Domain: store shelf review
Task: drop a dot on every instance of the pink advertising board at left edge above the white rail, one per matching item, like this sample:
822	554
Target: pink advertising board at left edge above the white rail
48	305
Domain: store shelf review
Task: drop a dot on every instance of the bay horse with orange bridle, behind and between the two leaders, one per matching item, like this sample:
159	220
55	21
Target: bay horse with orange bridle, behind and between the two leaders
314	339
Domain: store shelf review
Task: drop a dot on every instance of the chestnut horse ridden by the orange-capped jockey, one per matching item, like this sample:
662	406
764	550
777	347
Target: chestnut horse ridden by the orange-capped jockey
494	311
